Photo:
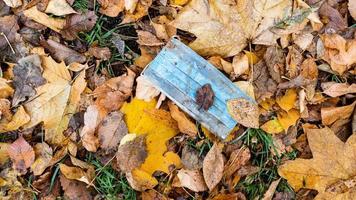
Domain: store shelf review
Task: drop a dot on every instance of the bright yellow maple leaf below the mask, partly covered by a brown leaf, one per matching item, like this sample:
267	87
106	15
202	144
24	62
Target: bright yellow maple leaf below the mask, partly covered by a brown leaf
142	118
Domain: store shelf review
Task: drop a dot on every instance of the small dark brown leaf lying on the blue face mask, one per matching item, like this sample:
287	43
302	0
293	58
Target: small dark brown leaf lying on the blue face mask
204	97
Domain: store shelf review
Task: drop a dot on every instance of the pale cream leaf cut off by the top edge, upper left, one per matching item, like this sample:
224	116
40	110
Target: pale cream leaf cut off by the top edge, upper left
59	8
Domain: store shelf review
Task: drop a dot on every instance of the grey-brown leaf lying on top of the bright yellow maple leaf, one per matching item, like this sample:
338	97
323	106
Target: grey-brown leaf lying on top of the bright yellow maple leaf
132	154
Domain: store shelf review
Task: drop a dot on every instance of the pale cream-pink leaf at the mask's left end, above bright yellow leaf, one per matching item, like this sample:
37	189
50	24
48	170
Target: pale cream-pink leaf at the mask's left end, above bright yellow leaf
145	90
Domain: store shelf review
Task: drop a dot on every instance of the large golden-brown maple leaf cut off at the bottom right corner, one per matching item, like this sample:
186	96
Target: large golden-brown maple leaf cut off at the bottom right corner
329	166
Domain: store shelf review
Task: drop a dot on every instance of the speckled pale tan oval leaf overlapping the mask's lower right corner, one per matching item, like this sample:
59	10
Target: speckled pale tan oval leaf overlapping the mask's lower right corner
244	112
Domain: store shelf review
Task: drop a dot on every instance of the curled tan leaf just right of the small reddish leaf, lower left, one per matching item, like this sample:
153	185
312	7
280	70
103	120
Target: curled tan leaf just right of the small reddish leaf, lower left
43	154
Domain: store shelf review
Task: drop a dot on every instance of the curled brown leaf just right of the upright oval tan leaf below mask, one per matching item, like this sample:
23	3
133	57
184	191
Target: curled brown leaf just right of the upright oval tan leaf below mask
238	158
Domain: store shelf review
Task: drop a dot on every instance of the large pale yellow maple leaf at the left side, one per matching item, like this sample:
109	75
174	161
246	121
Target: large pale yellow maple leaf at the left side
56	101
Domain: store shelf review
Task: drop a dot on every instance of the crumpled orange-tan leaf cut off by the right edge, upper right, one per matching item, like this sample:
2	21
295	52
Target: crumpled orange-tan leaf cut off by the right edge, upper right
338	52
